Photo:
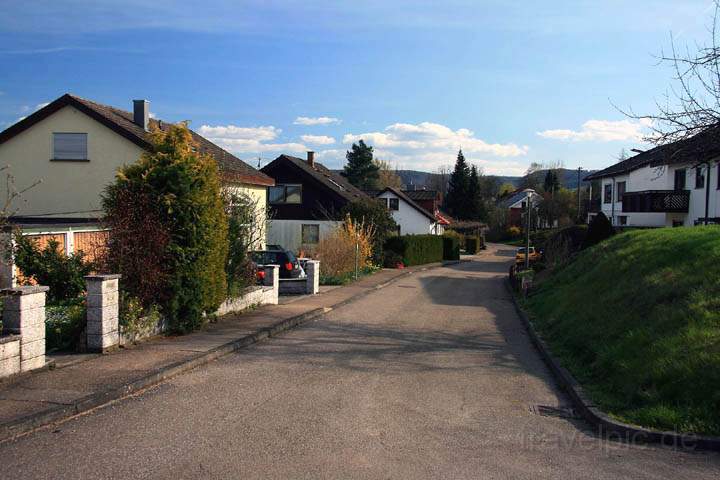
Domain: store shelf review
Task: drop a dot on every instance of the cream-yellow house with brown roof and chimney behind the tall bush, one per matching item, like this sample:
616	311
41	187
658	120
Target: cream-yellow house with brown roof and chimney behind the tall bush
74	147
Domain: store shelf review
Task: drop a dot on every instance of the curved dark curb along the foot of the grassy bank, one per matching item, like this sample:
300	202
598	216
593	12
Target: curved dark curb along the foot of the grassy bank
606	426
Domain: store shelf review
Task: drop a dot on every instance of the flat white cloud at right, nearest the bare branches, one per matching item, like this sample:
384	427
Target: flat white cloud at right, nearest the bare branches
602	131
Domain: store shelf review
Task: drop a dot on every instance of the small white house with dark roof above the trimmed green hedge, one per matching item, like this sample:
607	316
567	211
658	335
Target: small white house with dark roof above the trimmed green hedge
411	217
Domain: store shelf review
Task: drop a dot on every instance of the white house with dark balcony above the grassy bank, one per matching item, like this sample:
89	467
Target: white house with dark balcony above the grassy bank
677	184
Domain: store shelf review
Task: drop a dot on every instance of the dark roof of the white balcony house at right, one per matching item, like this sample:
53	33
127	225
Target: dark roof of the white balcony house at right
695	150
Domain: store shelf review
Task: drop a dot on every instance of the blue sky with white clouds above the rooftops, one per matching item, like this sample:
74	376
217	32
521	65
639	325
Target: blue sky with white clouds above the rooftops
508	82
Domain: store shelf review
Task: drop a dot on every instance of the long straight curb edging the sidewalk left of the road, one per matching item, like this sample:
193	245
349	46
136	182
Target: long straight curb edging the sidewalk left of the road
21	426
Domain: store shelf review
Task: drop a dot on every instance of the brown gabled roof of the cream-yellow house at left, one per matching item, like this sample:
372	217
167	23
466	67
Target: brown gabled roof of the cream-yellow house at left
121	122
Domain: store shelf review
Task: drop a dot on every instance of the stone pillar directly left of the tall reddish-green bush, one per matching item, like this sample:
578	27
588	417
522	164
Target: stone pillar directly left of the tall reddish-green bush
102	312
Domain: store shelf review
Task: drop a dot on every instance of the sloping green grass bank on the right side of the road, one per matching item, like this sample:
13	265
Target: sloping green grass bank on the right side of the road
636	319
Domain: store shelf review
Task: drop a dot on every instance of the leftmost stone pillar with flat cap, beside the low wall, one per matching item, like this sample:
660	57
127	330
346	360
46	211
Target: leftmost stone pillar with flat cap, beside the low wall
24	314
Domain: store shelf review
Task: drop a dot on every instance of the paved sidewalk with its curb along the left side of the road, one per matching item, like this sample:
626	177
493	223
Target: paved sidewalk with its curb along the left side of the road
82	382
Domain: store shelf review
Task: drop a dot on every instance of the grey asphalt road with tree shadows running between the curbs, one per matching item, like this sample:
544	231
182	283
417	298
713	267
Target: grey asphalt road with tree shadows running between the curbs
431	377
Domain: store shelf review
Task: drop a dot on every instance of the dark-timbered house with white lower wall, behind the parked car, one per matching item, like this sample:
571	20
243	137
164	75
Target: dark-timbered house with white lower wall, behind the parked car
306	201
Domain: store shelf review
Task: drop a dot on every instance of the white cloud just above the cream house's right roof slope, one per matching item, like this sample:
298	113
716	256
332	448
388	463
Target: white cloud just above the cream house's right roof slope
243	140
